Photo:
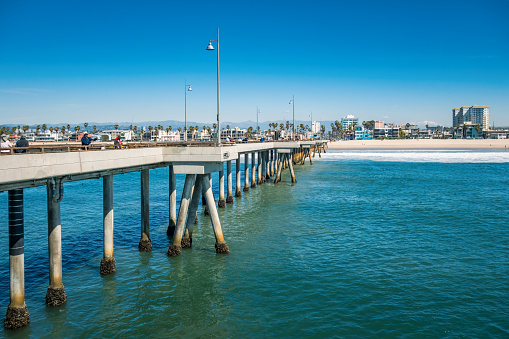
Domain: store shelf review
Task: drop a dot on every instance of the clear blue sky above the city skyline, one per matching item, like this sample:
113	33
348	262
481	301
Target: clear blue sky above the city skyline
114	61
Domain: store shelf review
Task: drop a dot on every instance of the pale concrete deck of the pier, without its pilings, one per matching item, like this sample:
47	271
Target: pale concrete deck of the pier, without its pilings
23	170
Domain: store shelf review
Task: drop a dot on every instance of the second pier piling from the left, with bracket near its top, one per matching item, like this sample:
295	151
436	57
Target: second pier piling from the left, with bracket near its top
55	294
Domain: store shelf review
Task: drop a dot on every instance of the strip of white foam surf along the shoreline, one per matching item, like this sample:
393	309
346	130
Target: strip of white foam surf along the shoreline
443	156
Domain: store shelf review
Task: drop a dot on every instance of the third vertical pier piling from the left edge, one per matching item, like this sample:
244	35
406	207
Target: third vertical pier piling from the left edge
108	264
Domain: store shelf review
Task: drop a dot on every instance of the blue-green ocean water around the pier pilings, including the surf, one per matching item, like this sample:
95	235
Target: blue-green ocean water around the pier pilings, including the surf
407	243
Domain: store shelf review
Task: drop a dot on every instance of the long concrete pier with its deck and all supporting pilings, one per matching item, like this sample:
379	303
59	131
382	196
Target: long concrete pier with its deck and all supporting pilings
53	166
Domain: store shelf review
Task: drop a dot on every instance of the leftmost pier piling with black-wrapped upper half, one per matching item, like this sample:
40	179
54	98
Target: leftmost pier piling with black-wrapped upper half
17	312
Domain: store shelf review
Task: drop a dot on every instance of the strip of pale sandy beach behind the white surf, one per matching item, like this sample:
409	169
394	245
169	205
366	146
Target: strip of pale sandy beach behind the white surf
422	144
